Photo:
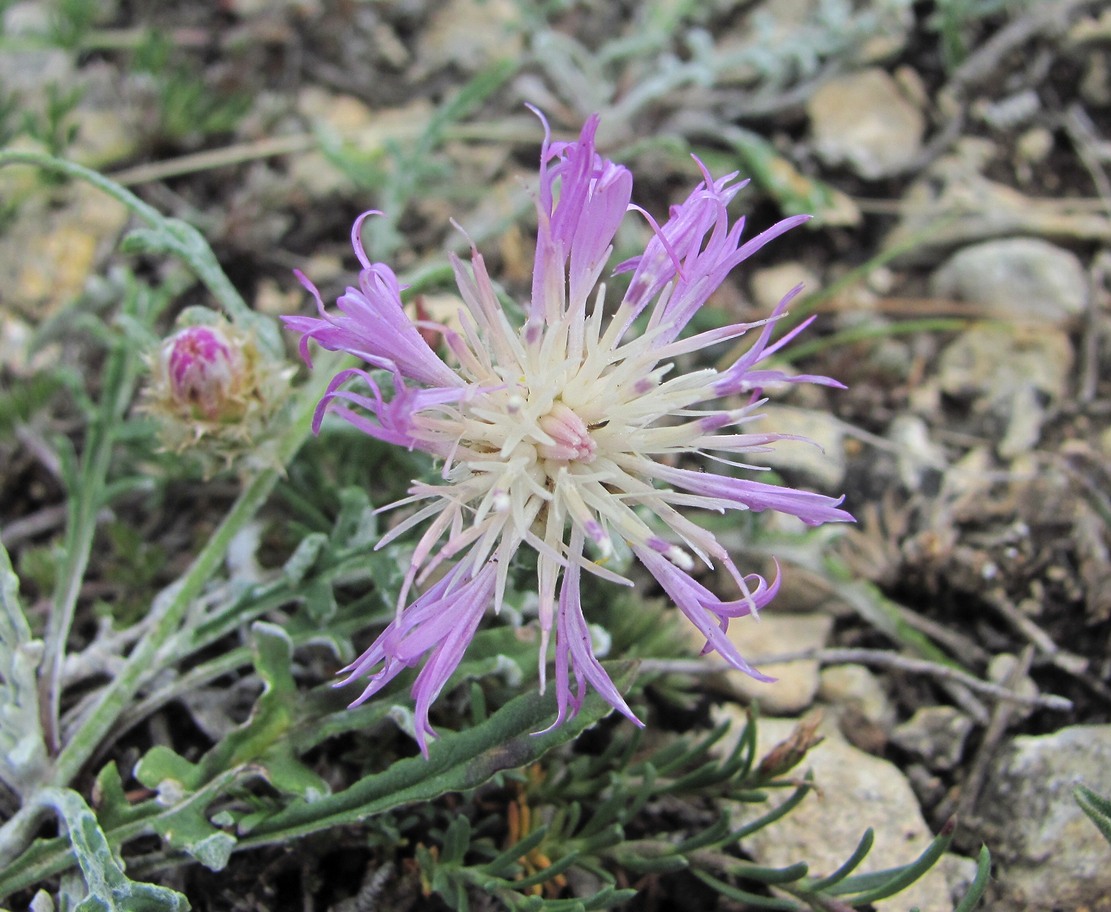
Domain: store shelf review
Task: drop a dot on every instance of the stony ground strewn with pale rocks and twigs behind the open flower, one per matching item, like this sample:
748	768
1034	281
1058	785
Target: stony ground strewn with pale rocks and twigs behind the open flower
958	161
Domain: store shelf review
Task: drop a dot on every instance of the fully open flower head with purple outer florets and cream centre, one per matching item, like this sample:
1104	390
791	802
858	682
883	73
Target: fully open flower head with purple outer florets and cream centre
563	435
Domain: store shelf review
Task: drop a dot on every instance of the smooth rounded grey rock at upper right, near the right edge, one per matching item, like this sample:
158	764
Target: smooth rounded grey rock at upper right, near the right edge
1025	279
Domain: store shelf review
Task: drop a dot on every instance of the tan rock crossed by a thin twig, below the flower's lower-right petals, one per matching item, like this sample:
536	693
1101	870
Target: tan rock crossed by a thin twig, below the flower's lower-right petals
775	635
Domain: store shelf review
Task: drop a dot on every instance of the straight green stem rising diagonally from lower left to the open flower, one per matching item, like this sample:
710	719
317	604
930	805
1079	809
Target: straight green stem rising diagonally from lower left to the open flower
172	607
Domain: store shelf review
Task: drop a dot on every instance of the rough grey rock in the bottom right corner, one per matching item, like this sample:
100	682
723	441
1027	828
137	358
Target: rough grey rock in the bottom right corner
1047	854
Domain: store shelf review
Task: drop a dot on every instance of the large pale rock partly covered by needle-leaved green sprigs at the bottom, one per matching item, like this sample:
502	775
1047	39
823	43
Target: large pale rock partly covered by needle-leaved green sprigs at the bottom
857	791
